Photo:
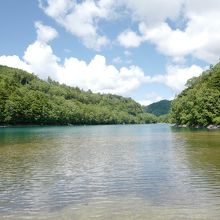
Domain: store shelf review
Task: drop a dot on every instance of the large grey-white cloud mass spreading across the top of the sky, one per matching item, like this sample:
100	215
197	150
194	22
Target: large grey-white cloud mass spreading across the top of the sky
198	35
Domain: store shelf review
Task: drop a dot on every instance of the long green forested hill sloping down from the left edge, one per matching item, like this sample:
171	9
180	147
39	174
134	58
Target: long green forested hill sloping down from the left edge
25	99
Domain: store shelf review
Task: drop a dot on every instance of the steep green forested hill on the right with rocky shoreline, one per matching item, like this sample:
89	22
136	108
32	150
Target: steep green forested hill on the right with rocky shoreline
199	103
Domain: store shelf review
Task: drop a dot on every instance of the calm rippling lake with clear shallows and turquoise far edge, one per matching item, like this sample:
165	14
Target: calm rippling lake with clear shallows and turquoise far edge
109	172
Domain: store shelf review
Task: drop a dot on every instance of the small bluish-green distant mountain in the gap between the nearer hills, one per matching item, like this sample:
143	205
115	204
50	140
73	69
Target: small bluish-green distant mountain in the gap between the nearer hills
159	108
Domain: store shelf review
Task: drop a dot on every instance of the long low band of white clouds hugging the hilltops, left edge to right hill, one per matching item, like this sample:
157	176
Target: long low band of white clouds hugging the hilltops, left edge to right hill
96	75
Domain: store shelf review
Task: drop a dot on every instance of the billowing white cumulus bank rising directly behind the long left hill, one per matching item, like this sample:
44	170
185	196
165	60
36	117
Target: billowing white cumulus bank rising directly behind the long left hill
96	75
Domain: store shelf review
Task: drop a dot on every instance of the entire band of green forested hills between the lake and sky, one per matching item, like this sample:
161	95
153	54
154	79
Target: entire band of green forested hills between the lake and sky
27	100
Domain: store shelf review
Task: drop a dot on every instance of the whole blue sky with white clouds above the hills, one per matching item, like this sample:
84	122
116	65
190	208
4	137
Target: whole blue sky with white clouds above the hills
143	49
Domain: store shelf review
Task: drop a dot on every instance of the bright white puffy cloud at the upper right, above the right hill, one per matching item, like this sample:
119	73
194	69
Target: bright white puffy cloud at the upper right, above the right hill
201	39
